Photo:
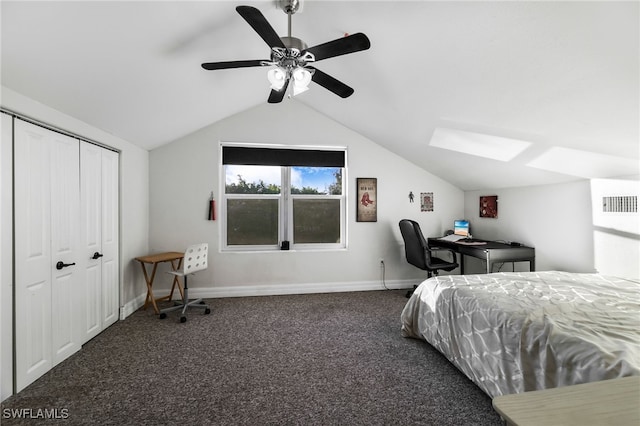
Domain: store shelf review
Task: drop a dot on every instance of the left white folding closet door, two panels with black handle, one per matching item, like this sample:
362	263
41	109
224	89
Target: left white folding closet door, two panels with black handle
46	232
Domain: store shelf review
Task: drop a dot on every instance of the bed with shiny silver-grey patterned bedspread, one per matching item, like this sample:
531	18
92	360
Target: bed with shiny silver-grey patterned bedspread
517	332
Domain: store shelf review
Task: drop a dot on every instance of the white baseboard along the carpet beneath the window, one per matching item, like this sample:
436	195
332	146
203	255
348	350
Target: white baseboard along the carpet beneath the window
272	290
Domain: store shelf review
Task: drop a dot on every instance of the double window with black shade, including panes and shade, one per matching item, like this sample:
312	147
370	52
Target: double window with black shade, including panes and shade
274	197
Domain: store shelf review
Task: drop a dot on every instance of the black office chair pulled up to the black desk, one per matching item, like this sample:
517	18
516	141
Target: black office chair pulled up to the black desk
420	255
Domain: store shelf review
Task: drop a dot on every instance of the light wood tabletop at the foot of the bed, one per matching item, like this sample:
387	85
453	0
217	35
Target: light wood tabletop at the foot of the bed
608	402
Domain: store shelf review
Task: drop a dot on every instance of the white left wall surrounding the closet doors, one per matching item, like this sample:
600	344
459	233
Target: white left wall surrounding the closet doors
134	207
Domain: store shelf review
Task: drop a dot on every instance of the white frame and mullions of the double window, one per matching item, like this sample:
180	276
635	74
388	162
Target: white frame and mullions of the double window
285	205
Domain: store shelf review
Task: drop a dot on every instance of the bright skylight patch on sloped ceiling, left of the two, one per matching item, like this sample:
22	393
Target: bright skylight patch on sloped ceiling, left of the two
478	144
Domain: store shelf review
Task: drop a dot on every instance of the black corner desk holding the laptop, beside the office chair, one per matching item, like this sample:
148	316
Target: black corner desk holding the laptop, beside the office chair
491	252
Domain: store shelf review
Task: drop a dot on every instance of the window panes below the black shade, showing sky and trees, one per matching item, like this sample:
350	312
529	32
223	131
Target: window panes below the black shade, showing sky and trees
266	205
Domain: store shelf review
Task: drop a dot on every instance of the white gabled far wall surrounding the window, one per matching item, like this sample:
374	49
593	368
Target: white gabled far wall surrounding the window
183	174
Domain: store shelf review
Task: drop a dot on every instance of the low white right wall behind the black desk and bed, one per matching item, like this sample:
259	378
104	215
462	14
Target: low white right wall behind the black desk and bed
555	219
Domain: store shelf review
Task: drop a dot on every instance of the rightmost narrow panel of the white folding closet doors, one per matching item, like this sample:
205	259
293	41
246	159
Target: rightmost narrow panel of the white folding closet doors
110	237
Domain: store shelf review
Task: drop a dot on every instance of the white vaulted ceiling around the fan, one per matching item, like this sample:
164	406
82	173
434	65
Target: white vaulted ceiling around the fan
561	76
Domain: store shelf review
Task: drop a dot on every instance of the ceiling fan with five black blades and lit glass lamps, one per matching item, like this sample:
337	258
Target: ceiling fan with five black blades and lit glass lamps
291	56
